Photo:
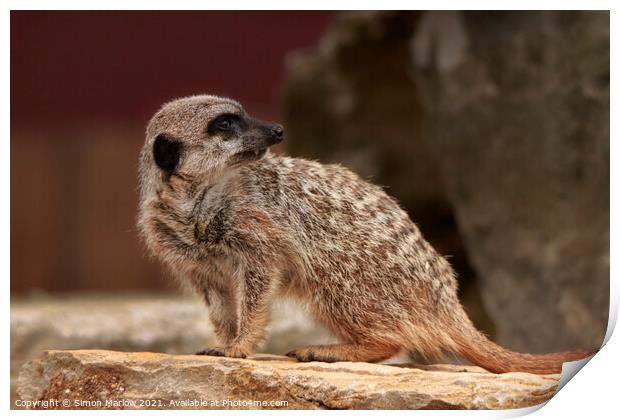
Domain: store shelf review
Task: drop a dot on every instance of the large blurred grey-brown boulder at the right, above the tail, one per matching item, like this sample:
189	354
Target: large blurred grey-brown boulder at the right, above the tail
517	107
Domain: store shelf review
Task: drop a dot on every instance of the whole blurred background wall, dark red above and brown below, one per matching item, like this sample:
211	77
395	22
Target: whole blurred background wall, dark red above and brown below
83	85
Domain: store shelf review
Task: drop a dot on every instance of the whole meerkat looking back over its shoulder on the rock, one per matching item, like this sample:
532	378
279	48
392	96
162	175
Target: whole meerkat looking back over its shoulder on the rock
244	226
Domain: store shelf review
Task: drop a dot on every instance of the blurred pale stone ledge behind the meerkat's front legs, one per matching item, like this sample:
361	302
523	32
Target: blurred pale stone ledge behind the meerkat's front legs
161	323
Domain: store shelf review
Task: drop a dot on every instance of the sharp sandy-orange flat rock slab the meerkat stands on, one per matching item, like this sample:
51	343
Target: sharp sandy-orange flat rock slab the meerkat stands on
126	380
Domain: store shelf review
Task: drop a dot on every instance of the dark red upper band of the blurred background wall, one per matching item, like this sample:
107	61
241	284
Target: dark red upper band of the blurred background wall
68	66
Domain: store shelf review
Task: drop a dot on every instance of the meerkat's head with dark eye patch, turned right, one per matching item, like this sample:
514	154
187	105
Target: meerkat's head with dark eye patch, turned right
199	137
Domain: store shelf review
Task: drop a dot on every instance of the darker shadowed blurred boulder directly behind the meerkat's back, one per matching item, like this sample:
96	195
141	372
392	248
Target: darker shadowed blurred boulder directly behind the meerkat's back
353	101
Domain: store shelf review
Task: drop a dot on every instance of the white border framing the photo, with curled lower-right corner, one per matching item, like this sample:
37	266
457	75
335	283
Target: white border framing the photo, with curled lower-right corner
591	393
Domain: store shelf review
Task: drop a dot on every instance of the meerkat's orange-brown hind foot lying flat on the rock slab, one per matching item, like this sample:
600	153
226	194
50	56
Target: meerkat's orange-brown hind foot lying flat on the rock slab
374	352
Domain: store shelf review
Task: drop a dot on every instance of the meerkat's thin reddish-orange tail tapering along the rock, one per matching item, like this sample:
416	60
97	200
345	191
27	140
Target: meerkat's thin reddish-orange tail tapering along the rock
477	348
